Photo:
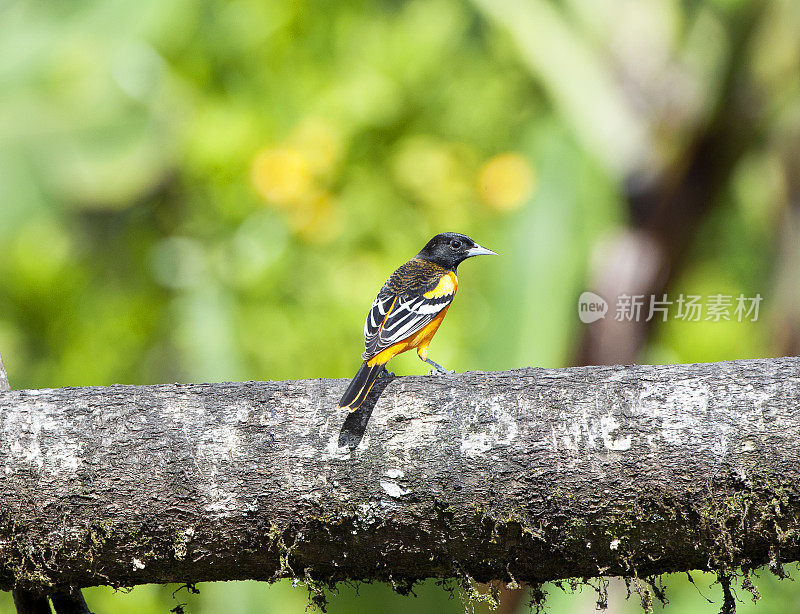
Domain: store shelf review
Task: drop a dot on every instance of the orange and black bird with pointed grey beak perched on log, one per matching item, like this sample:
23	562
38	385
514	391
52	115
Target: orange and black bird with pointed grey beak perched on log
409	309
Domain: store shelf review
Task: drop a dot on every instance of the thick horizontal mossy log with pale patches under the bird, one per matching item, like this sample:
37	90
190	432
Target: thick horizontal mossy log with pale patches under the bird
530	475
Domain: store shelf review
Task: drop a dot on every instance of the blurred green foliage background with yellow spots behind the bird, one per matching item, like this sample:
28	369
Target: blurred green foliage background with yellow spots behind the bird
204	191
